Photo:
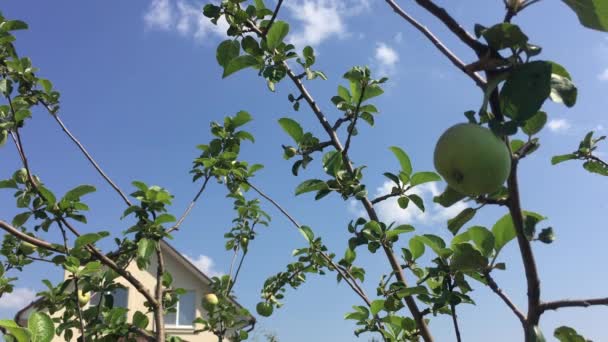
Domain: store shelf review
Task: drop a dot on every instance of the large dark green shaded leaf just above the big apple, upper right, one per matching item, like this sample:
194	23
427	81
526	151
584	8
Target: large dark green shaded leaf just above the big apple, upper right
525	90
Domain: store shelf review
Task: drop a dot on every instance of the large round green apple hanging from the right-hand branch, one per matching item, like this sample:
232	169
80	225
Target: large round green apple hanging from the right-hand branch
472	160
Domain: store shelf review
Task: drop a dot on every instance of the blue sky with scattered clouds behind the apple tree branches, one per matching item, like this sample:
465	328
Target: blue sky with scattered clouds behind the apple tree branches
140	85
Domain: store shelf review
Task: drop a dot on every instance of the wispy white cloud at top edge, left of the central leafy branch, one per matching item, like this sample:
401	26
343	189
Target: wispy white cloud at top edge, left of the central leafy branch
184	17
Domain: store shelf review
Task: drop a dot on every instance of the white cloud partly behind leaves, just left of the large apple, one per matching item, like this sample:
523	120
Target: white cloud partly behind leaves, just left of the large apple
389	210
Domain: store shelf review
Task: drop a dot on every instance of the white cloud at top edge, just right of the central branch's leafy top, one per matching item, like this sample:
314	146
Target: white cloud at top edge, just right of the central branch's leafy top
322	19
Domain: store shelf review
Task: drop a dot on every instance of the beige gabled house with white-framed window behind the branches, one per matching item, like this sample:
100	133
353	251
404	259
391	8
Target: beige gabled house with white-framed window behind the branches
185	275
